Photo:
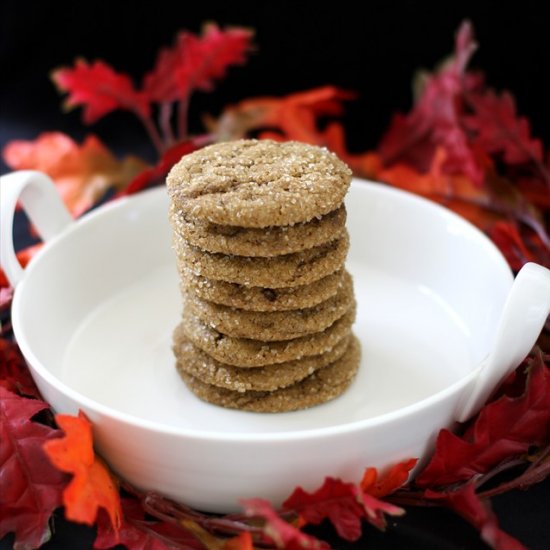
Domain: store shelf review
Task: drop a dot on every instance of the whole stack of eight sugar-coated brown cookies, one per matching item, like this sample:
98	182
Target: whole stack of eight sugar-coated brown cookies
260	241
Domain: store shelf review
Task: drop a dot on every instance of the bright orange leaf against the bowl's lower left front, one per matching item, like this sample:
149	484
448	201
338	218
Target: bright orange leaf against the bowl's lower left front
92	486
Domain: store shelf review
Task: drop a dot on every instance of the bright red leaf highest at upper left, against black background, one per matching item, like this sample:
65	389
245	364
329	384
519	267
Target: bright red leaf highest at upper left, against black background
195	62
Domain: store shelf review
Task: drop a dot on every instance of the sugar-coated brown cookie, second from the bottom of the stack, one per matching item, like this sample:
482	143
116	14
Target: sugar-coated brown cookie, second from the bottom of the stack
191	360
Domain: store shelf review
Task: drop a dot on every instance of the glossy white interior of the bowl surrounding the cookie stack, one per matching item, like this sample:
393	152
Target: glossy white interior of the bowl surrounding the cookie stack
95	312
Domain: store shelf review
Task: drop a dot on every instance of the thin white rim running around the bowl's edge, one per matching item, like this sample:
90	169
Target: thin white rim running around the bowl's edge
108	412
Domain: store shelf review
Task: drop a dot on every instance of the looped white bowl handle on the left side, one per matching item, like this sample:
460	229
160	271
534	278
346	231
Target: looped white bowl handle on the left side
43	205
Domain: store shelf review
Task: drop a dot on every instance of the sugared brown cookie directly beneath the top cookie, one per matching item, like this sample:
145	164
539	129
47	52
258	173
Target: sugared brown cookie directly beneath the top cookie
269	241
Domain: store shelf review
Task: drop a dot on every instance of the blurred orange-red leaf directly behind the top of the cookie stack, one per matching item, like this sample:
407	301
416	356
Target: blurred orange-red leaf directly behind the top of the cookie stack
292	117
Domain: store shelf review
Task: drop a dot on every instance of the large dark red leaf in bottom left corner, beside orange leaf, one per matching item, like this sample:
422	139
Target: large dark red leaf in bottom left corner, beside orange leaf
30	487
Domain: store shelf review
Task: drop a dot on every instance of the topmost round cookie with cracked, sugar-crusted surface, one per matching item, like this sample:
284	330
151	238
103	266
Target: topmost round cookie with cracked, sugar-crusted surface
258	183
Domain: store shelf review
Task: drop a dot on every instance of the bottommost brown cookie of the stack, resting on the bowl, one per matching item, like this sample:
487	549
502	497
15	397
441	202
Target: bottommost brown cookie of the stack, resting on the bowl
323	385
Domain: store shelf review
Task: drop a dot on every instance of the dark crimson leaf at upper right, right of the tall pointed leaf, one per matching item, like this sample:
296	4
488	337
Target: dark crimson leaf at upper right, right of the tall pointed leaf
498	129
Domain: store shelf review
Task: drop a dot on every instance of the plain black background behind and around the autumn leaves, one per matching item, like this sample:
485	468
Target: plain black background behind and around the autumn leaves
371	47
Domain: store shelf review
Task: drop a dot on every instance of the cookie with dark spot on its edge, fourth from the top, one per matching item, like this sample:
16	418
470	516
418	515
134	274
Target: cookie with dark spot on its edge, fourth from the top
255	298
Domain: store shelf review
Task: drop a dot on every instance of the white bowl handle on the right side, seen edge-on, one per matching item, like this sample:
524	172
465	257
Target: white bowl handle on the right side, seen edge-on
523	316
